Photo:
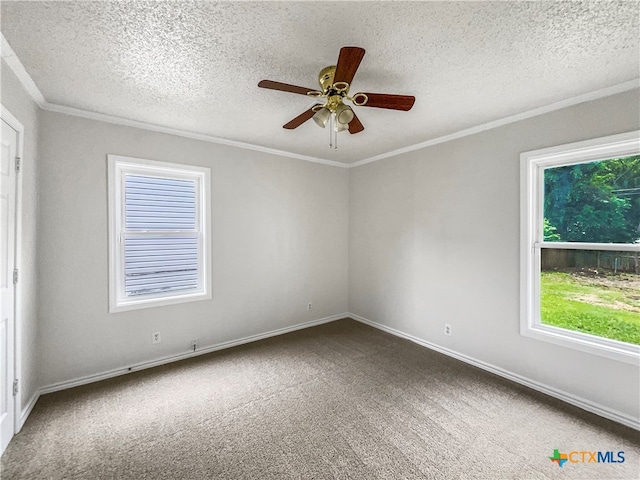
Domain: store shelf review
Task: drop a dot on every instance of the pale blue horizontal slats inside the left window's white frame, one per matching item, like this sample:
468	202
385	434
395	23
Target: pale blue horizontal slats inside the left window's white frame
160	237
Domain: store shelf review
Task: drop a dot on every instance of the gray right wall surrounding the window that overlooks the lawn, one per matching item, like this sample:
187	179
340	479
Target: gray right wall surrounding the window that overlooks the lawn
434	239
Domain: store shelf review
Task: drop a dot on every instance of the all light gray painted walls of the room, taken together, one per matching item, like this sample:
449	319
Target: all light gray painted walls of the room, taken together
383	239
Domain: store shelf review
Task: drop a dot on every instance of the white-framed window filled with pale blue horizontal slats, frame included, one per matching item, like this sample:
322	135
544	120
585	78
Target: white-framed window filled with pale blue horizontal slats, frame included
159	225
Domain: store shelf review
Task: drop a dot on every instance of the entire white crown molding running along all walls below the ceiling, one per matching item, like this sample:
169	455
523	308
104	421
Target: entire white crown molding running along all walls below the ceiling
12	60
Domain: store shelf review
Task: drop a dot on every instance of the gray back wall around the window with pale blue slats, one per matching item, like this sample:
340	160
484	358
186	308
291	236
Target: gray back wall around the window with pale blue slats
279	241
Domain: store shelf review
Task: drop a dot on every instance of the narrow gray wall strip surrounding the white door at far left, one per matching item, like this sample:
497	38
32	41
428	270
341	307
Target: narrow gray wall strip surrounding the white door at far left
15	99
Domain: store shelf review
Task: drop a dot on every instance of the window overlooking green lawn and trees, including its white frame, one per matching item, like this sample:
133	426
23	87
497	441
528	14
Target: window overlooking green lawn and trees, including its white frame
580	246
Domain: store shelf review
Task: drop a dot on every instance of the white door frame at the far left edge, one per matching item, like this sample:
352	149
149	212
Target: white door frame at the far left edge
14	123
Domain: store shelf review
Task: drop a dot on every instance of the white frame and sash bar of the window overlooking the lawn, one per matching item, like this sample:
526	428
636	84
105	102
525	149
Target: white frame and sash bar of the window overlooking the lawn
532	166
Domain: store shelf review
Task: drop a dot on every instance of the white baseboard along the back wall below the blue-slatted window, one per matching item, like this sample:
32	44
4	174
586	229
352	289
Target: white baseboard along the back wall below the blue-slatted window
174	358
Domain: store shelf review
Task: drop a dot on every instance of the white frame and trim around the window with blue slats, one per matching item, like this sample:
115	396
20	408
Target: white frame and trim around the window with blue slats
119	165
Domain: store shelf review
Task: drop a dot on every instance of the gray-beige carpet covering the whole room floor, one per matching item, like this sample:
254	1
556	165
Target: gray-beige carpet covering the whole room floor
341	400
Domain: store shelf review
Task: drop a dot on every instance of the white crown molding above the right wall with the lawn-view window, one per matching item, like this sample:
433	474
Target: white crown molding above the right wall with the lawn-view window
587	97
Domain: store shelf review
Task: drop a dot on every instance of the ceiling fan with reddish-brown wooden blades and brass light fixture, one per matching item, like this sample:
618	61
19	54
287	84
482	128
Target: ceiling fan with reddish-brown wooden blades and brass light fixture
335	82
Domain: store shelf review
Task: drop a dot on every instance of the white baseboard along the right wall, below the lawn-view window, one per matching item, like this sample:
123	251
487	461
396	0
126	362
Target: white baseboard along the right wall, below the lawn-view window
582	403
